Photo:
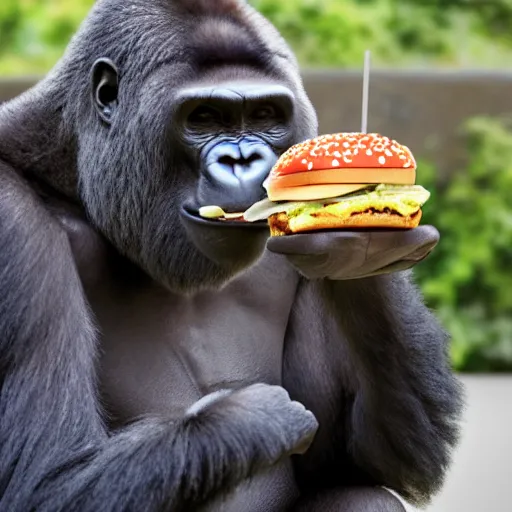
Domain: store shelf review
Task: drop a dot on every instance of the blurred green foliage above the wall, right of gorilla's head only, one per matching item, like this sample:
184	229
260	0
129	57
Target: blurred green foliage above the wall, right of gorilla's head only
335	33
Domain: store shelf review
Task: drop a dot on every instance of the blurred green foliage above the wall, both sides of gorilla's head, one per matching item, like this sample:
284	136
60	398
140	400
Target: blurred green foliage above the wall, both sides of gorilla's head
327	33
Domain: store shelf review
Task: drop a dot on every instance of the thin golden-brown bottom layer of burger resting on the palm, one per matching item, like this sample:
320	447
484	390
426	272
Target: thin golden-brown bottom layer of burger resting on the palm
280	224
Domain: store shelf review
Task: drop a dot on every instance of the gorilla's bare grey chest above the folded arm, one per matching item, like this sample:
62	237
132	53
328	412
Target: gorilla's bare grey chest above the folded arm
161	352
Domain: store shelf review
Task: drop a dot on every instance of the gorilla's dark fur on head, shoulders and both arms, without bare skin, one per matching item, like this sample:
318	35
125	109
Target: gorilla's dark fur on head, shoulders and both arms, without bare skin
364	356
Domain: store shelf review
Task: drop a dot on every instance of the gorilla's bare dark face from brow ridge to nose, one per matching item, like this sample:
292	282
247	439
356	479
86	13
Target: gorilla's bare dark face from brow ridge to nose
235	130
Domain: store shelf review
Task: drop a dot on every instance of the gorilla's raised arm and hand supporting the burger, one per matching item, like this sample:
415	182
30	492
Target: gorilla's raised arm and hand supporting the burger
369	359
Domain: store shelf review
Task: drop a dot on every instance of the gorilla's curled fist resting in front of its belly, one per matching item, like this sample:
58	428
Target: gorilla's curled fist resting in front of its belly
264	420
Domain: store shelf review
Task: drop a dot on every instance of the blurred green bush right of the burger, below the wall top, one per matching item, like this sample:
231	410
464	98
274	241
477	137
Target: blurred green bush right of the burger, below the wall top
468	278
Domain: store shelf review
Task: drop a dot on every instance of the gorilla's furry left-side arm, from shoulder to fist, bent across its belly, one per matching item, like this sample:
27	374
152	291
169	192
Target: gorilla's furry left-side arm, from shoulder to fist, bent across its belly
55	452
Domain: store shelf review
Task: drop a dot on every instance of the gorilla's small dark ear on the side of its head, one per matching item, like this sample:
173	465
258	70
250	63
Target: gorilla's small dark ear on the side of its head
105	88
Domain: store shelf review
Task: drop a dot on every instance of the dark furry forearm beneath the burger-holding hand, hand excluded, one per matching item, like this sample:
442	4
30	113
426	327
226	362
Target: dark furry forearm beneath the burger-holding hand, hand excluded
389	380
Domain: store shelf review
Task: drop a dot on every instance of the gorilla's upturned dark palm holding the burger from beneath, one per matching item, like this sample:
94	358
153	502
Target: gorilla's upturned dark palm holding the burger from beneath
340	255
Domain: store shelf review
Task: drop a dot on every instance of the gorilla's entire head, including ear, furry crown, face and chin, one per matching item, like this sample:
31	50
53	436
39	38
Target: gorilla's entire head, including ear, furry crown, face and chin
193	110
